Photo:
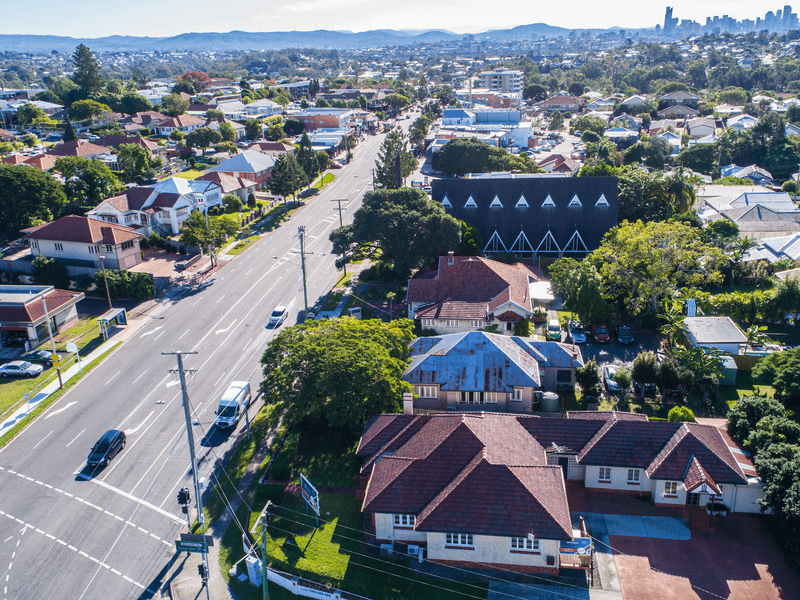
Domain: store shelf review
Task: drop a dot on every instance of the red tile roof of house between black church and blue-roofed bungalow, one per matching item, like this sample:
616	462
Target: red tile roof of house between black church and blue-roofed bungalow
470	287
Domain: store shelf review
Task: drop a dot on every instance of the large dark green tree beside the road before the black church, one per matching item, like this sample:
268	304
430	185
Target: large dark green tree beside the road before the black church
410	229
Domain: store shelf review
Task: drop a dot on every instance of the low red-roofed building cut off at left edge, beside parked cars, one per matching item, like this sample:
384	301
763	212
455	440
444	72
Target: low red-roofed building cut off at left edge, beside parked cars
23	318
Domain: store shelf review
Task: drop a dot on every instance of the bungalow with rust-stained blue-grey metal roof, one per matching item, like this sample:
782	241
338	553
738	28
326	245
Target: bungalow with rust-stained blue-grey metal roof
477	370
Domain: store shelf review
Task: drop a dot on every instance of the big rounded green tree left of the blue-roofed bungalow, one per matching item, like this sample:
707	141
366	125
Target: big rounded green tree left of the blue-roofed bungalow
339	371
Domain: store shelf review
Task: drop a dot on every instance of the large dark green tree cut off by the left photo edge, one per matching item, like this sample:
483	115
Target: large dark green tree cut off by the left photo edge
27	196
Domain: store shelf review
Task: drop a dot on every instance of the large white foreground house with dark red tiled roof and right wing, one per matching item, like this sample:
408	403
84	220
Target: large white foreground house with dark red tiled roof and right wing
489	488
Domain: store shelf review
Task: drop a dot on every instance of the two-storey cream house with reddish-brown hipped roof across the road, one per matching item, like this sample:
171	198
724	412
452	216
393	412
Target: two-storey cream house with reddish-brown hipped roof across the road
78	243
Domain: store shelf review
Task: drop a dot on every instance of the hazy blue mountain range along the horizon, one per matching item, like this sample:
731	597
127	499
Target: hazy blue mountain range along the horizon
273	40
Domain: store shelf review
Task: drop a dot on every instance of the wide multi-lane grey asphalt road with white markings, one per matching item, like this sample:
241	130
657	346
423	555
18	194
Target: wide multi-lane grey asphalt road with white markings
71	531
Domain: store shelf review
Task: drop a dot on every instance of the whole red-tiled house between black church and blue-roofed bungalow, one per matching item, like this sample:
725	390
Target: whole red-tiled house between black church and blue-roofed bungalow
467	293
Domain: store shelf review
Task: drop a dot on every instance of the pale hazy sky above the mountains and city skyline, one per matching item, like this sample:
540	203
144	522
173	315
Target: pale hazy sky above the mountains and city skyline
98	18
